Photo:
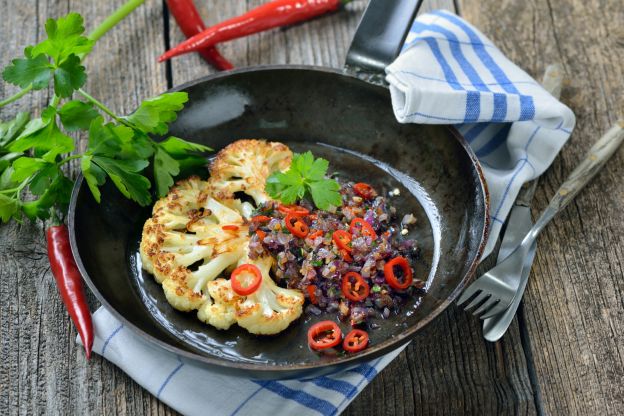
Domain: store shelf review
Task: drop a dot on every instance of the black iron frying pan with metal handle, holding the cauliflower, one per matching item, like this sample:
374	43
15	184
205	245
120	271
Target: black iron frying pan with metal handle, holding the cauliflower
342	118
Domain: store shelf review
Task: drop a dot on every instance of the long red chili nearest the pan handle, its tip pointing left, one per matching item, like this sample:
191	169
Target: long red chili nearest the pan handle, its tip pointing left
268	16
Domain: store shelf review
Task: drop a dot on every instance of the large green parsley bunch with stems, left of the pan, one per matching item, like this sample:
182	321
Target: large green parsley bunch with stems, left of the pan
33	151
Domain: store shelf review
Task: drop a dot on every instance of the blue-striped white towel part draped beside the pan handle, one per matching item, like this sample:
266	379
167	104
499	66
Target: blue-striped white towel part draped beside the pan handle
448	72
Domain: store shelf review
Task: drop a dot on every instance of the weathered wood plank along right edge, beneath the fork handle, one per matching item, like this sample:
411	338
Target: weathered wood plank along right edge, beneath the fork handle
573	305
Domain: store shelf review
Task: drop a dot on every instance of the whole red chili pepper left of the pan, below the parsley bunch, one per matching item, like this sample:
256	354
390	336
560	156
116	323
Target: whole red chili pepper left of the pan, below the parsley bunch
69	282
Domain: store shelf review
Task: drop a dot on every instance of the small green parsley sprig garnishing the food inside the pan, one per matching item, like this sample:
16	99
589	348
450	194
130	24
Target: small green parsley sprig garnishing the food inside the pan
305	177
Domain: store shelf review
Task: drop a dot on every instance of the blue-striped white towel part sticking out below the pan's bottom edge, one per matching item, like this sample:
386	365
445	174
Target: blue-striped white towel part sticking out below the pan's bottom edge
193	390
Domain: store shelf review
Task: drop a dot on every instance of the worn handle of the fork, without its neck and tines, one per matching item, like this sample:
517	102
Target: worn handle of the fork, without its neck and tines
593	162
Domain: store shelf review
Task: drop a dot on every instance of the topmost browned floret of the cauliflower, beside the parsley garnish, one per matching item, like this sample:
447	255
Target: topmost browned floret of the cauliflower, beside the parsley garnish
244	166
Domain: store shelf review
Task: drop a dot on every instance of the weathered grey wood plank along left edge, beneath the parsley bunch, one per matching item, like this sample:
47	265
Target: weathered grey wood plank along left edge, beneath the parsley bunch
42	371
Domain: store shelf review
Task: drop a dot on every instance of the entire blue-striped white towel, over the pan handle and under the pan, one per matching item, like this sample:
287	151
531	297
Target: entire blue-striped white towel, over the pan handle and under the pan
448	72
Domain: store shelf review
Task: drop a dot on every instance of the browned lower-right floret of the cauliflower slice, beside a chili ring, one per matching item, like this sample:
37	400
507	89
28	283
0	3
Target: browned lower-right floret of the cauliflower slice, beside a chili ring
270	309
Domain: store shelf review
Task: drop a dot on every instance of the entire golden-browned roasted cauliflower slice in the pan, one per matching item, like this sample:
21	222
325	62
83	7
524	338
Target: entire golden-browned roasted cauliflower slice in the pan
199	231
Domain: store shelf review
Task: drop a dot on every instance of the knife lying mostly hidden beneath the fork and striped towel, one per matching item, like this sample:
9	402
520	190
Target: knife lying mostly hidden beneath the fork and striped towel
518	224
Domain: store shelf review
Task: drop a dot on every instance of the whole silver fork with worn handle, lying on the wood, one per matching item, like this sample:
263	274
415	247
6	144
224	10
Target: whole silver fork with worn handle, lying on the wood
496	289
